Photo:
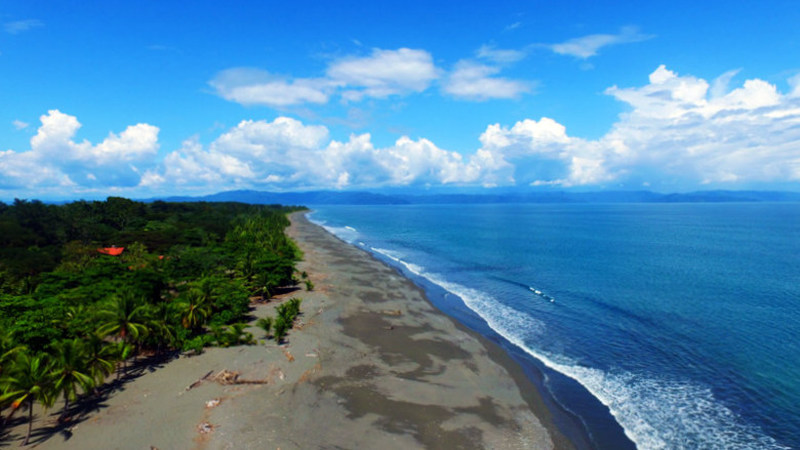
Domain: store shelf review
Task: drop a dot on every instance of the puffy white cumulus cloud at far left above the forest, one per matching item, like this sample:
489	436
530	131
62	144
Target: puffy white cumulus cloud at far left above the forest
56	159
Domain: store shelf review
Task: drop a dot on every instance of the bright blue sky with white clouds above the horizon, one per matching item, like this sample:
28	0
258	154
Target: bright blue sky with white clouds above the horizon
144	99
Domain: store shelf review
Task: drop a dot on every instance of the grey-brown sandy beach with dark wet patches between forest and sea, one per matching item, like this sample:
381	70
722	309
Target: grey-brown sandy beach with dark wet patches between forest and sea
370	364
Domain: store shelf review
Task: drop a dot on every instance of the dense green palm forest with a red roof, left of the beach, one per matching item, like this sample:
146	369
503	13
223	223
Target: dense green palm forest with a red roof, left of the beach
70	314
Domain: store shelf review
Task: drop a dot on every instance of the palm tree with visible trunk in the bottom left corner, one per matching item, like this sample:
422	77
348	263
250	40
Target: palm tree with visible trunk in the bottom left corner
28	381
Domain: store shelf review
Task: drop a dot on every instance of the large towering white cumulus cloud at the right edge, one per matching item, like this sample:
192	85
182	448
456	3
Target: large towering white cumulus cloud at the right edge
676	135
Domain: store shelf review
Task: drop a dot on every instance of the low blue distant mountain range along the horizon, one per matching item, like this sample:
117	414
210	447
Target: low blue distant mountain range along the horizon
370	198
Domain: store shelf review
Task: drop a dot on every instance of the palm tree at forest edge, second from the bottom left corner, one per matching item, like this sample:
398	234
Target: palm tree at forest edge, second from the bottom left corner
70	370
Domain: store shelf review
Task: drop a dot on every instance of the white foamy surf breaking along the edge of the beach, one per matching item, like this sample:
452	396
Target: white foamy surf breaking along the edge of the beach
654	413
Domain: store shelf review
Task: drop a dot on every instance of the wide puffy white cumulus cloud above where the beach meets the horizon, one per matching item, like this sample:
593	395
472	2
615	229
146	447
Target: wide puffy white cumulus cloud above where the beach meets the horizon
288	154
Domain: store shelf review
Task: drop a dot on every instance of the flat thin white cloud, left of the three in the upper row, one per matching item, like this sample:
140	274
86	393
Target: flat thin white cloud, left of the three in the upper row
249	86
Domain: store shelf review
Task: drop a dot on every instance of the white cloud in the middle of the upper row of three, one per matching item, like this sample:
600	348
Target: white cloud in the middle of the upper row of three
384	73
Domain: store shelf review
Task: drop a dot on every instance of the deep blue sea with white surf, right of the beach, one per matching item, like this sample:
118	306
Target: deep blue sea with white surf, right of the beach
683	319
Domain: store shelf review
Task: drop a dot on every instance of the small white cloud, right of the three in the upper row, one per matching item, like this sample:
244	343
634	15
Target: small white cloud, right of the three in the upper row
473	81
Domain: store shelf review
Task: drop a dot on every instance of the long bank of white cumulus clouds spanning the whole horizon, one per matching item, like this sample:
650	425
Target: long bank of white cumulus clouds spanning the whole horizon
680	132
